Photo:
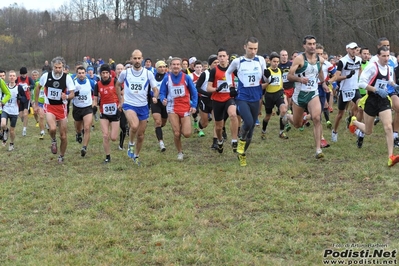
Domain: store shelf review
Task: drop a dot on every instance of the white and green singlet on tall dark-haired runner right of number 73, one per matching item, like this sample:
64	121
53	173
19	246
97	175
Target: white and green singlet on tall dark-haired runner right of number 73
310	71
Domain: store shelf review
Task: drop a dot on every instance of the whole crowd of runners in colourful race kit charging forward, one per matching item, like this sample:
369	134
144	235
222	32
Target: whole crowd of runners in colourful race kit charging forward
193	94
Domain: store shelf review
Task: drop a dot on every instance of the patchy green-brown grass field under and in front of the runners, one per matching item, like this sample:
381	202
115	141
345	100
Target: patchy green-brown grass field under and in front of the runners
284	208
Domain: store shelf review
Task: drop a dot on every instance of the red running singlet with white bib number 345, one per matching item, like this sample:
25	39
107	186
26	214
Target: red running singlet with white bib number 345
109	98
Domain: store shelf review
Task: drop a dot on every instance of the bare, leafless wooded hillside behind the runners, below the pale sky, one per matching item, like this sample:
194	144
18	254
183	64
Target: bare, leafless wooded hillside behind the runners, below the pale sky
185	28
